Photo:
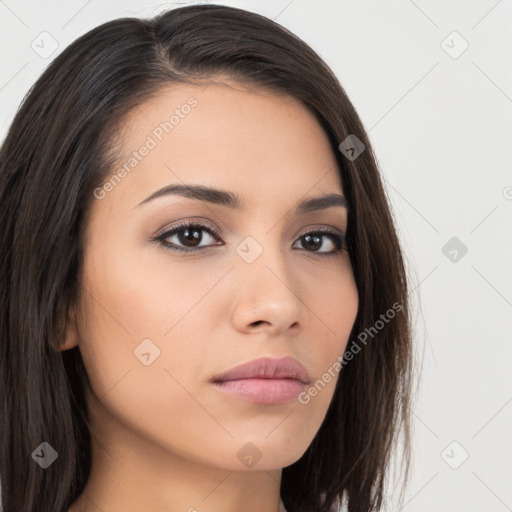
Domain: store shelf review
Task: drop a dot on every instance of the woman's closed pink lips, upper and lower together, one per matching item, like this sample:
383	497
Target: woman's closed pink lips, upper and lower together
265	380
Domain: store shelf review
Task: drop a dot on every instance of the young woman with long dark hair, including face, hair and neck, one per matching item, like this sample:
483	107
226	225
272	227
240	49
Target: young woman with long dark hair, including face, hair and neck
203	296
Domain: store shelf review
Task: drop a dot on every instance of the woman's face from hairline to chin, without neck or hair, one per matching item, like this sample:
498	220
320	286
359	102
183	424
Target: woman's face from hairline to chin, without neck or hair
160	324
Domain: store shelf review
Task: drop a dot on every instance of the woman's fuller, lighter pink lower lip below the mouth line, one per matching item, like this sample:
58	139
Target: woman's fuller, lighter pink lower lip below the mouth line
262	391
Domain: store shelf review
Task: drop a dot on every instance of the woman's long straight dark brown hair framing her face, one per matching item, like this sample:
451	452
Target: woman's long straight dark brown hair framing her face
58	149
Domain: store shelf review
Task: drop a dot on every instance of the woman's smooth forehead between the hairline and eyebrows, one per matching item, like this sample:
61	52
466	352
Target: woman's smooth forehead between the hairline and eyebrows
253	142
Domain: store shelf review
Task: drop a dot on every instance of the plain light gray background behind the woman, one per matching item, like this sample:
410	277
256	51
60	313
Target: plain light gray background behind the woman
441	129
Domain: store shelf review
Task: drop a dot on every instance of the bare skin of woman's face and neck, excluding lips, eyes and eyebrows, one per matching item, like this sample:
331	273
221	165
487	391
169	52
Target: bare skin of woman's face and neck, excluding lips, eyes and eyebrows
163	439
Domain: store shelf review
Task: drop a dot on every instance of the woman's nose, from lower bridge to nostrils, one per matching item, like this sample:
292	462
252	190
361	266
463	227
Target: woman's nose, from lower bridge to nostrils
267	297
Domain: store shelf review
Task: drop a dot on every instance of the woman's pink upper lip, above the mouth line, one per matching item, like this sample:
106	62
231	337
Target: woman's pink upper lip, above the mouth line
267	368
